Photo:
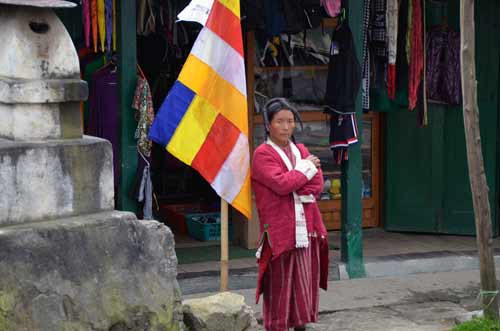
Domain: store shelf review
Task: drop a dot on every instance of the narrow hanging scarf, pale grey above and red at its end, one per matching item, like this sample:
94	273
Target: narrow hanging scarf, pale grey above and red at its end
392	42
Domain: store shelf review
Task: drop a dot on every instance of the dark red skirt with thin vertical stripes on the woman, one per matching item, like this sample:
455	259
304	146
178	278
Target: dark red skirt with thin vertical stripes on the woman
291	288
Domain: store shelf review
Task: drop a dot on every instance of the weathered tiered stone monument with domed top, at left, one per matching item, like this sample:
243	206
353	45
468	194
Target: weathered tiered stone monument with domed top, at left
67	260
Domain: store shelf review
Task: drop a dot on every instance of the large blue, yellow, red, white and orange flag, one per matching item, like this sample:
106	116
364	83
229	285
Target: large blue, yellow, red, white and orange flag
203	120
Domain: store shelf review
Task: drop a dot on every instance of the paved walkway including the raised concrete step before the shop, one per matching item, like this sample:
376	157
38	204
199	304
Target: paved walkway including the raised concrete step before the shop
414	283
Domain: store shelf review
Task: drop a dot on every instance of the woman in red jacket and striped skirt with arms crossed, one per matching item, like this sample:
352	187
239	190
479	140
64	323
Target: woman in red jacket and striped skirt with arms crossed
293	255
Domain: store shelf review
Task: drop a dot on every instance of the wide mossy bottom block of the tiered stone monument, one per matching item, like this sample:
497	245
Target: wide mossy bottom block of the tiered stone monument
105	271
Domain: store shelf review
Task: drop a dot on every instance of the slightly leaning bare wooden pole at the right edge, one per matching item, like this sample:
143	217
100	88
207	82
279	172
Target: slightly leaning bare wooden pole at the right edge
477	177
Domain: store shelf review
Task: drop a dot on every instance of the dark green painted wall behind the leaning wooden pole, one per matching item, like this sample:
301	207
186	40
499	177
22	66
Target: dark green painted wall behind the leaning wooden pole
426	177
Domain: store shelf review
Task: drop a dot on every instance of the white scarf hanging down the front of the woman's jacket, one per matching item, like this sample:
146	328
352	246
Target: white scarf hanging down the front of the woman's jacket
301	238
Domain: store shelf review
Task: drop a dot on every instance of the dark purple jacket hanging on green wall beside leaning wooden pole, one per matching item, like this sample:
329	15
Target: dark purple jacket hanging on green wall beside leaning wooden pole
443	66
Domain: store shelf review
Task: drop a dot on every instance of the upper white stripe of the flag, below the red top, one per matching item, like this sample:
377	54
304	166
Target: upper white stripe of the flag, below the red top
222	58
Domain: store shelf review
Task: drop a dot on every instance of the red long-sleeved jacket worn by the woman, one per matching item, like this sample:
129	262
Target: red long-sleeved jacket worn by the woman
273	186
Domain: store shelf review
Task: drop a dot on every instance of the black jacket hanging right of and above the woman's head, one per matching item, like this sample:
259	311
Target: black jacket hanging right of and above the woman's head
344	72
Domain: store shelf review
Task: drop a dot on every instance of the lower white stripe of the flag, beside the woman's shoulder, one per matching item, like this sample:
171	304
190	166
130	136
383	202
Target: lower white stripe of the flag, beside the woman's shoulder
234	171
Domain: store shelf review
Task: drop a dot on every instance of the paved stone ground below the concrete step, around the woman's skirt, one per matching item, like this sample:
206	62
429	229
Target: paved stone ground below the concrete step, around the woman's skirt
421	302
